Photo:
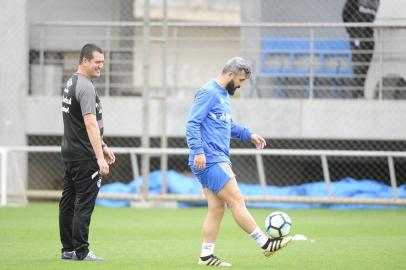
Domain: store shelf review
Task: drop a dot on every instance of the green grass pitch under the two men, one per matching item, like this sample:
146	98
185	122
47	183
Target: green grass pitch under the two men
170	239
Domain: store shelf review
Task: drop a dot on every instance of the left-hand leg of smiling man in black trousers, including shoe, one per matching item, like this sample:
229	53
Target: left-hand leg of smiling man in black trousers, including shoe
66	209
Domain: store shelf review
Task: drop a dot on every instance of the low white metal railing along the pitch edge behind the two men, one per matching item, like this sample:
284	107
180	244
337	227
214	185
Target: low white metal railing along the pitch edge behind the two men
144	196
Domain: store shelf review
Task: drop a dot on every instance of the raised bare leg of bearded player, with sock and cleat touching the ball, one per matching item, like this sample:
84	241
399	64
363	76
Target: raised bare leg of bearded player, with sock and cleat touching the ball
230	193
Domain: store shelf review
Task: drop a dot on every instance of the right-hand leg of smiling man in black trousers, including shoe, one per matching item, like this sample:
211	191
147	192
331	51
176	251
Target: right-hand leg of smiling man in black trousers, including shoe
87	183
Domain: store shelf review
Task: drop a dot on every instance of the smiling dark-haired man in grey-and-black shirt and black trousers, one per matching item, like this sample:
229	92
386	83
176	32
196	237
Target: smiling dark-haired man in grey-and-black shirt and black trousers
86	157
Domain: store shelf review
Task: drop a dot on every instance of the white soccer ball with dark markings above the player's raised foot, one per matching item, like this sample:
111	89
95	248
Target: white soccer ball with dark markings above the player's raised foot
278	224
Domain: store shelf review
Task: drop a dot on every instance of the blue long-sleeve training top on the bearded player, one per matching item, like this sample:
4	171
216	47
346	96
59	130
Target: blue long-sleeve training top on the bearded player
209	127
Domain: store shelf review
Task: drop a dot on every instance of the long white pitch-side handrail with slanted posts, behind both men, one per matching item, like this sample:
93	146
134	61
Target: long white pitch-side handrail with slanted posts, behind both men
323	154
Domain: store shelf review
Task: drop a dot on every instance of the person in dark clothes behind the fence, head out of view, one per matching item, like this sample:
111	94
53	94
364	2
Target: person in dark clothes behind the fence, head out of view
362	38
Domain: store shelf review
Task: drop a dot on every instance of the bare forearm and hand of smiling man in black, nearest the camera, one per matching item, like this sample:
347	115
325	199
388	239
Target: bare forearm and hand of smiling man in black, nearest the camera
93	132
